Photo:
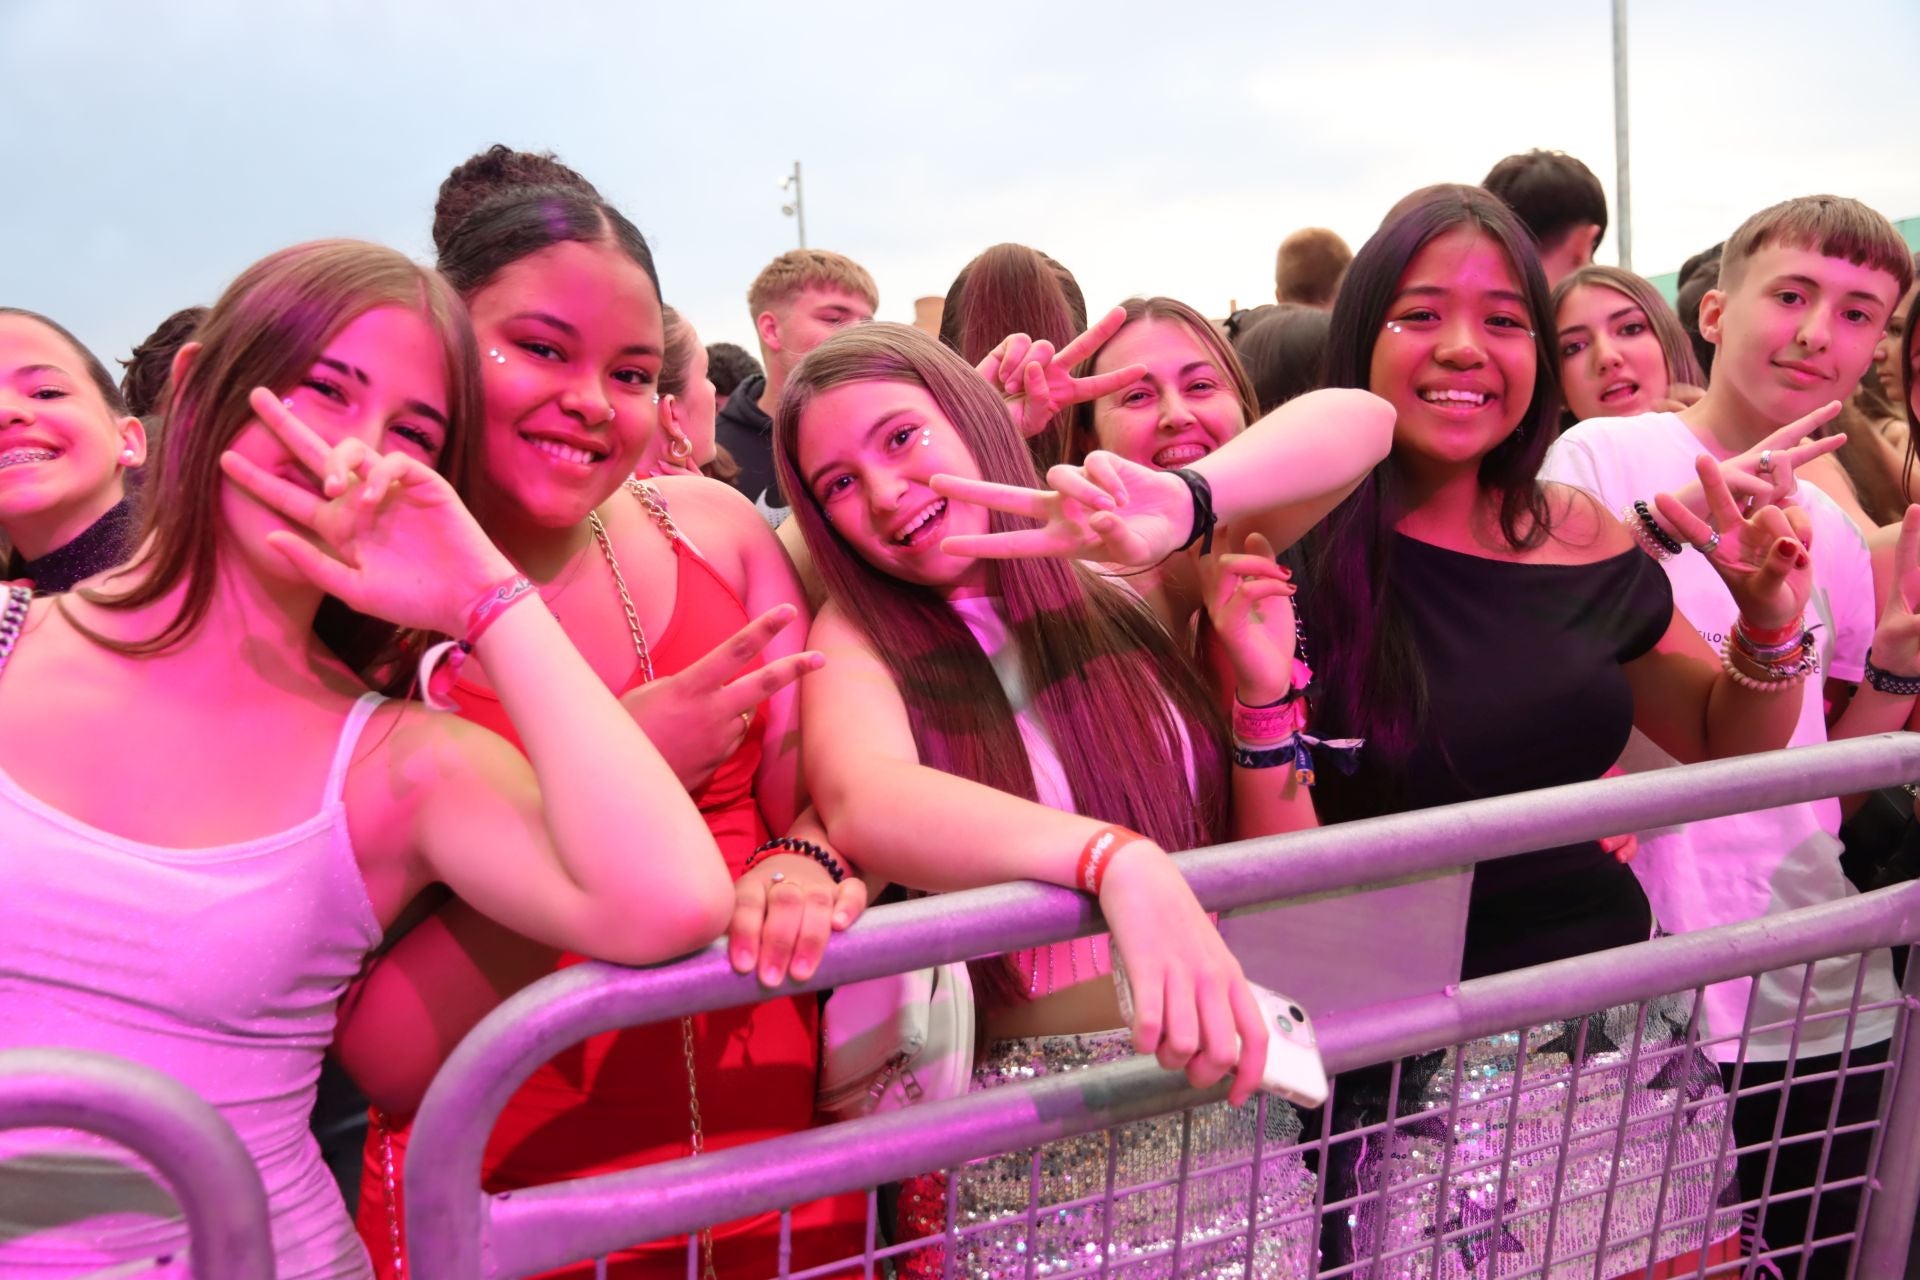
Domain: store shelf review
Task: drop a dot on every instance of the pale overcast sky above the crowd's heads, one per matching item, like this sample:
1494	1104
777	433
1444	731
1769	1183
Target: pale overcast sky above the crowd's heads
155	149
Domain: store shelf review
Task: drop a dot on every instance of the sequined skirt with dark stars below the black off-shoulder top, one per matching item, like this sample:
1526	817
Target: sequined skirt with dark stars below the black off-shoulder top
1654	1127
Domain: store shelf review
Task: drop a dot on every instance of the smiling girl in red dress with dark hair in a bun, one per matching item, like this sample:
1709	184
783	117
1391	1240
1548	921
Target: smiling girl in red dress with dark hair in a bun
684	607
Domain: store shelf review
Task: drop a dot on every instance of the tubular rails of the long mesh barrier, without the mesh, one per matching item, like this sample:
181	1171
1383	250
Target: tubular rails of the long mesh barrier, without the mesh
452	1221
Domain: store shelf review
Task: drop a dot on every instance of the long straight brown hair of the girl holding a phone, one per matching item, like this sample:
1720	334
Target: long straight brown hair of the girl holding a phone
1109	682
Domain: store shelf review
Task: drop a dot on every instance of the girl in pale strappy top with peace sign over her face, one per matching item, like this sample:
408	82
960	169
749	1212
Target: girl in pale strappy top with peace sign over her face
203	914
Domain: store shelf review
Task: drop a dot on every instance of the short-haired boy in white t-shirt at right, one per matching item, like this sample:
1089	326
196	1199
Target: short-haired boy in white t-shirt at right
1808	289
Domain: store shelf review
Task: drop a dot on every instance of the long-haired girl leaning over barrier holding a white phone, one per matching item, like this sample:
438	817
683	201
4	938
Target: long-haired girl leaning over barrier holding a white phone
982	723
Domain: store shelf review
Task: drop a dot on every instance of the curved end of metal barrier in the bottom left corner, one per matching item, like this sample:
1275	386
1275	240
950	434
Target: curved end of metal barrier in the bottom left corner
164	1124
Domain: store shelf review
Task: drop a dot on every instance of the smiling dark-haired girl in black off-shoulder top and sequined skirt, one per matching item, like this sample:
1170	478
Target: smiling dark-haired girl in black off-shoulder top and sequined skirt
1489	634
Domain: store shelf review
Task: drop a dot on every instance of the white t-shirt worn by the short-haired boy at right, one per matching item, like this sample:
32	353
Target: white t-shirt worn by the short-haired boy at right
1727	870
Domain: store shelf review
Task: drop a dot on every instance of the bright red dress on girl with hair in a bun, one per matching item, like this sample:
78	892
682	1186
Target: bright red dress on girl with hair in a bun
621	1099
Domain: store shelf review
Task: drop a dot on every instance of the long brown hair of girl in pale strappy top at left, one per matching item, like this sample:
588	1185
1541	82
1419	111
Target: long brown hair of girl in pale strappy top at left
268	329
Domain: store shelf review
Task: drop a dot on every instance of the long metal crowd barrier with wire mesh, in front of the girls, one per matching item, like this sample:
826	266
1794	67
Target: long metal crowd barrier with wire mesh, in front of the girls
456	1231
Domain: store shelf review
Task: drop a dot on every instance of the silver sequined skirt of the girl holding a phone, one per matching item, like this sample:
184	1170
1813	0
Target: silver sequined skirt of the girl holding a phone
994	1195
